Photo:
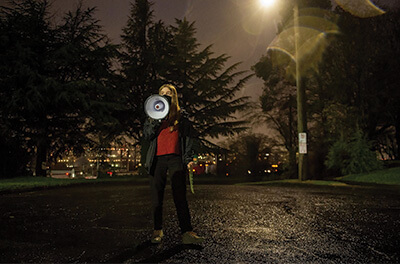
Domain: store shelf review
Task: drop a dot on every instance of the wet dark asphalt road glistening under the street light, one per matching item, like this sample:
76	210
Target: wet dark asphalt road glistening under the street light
242	224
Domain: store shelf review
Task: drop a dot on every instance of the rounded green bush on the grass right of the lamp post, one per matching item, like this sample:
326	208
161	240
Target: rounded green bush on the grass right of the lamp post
353	156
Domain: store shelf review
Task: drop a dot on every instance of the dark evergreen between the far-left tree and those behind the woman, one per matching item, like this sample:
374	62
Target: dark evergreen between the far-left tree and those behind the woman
84	67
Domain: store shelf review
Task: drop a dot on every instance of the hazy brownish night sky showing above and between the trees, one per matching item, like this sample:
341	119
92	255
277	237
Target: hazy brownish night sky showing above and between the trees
239	28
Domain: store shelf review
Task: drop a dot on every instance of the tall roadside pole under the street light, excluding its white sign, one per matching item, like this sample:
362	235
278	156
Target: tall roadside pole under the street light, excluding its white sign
301	113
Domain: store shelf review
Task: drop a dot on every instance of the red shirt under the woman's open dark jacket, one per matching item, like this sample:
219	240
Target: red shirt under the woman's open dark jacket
168	141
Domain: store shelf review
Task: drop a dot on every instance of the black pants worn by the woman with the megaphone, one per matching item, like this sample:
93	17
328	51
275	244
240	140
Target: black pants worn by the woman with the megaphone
172	164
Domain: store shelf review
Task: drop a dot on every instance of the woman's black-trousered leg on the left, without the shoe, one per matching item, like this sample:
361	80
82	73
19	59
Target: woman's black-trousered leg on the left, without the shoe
157	183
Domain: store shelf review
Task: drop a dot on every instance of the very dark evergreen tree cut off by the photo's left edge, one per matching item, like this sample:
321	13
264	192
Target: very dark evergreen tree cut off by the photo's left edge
27	39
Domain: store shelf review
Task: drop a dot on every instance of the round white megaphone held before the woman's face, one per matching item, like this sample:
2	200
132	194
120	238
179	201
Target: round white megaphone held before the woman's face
157	106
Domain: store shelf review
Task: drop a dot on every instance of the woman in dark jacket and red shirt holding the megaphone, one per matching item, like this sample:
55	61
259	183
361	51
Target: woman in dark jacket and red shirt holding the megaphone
170	152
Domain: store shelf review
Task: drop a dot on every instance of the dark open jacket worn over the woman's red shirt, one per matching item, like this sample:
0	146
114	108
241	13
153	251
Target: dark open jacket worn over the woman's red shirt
186	140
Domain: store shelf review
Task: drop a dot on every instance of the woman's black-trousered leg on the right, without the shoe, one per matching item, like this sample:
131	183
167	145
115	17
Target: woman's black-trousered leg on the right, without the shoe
178	184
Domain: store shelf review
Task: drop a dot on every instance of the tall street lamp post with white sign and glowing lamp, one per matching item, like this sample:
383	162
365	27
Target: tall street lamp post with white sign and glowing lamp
301	96
